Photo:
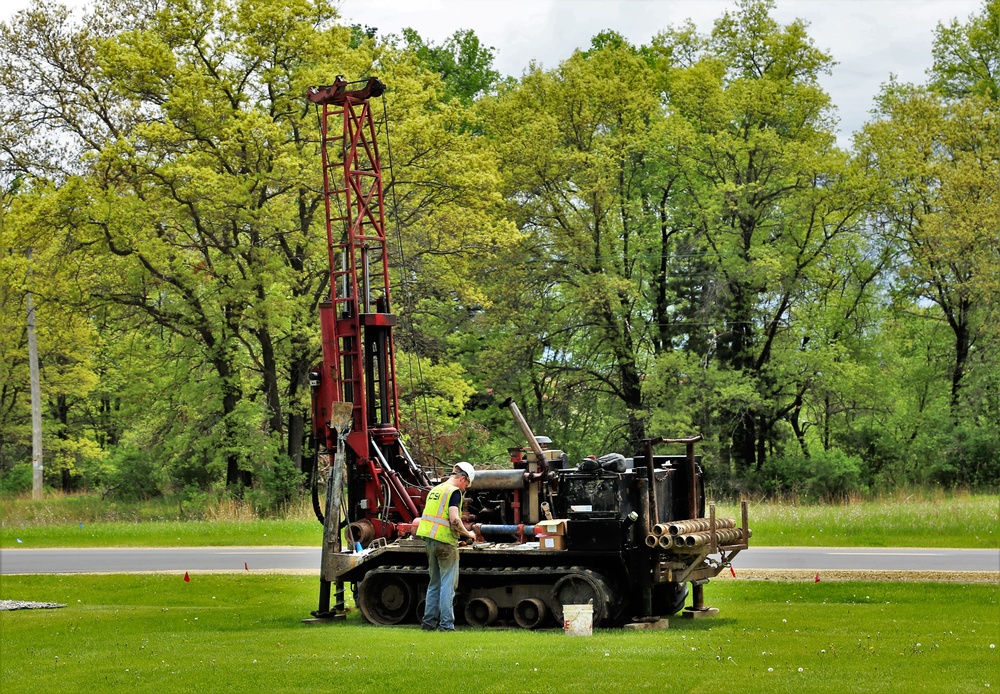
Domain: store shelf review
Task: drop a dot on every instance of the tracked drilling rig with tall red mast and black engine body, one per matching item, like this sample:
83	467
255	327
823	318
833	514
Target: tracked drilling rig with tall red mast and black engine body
627	534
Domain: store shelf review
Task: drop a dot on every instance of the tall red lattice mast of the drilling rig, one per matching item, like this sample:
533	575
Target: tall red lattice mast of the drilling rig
356	323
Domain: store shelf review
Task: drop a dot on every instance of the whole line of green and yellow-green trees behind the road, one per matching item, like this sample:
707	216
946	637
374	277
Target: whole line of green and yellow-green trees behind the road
643	241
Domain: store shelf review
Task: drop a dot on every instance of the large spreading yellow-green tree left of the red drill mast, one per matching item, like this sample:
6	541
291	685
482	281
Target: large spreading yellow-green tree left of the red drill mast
199	177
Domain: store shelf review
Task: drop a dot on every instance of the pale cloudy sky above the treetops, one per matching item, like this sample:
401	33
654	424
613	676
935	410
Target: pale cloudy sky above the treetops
869	39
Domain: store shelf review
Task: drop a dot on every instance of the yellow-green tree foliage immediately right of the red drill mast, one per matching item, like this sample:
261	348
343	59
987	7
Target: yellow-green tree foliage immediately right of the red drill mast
446	214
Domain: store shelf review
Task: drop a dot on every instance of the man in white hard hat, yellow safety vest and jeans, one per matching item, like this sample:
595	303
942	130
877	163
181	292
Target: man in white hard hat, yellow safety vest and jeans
441	527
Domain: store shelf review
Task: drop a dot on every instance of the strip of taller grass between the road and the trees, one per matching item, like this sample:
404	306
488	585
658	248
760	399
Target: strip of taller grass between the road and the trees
962	521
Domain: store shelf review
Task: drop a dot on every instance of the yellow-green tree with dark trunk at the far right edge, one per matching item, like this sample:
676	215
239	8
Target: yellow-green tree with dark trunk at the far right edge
939	161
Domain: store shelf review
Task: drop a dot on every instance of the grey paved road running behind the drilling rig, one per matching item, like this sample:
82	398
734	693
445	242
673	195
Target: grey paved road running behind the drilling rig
31	561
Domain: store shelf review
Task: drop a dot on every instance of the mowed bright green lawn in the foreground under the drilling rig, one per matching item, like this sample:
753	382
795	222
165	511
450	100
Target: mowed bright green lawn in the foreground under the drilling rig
243	632
